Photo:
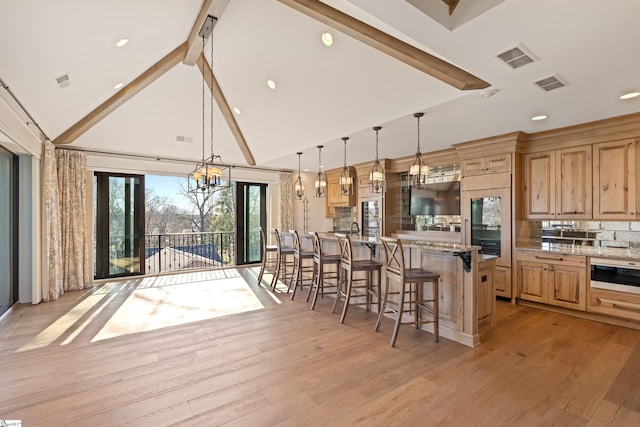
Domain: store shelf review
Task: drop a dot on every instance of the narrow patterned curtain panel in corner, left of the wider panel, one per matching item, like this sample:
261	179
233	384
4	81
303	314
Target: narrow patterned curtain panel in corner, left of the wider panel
52	282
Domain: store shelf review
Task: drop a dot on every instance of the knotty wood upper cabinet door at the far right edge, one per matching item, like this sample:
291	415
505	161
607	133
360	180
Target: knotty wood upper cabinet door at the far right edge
614	180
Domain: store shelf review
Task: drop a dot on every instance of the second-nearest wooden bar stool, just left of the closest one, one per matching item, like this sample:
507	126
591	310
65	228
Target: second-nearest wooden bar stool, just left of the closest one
348	266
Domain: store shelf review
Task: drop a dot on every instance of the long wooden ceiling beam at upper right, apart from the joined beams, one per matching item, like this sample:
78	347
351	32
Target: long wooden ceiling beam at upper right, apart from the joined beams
390	45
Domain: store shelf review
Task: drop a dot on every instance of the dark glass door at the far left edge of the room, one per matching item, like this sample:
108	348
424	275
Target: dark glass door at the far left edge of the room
8	229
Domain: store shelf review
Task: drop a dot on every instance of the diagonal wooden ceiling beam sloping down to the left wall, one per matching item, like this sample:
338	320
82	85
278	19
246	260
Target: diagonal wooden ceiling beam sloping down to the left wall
123	95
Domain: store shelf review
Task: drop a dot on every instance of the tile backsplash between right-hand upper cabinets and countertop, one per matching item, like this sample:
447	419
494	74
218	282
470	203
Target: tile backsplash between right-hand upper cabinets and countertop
614	234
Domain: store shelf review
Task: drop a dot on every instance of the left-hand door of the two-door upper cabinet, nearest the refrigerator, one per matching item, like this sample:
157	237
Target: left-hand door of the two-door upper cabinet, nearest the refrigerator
539	185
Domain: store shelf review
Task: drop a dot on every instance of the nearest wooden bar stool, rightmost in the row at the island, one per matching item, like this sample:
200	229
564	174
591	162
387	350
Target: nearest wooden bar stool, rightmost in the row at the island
411	281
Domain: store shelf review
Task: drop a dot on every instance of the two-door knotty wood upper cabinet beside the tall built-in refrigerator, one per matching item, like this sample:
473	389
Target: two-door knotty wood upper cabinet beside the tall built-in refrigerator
557	184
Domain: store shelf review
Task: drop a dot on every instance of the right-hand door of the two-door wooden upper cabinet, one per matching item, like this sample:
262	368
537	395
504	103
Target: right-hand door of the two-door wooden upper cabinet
574	183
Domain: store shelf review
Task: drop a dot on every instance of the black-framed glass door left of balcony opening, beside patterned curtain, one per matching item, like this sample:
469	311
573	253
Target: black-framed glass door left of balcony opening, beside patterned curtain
118	225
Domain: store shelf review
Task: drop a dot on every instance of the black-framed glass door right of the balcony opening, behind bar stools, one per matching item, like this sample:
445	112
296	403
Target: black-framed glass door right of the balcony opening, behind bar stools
251	214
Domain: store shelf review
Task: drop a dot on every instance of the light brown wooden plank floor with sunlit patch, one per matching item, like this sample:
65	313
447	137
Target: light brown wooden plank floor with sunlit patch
214	348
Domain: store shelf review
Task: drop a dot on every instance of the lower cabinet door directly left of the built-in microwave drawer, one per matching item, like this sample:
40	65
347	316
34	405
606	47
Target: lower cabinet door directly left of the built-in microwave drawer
567	286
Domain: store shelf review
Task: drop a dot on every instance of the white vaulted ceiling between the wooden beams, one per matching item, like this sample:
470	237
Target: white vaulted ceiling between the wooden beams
323	93
